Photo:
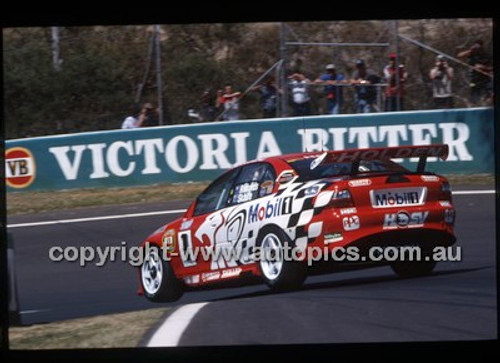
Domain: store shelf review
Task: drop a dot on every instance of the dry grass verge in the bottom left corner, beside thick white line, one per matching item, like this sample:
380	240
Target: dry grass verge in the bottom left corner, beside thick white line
123	330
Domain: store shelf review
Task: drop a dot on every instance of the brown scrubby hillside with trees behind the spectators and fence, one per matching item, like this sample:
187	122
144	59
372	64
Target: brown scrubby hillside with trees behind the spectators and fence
103	70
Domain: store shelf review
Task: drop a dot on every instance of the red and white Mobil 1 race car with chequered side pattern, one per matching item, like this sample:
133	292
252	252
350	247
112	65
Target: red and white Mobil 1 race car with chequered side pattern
306	204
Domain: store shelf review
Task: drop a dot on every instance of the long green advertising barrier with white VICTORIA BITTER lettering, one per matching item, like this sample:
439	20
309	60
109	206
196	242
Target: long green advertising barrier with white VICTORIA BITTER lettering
198	152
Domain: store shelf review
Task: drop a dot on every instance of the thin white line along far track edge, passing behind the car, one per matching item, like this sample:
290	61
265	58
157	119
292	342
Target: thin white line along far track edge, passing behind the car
172	211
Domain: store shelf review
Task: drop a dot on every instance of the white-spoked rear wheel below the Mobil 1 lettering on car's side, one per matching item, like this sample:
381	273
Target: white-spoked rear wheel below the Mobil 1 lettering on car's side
278	274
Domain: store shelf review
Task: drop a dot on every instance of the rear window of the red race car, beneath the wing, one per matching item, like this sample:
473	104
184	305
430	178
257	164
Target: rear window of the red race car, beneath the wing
307	170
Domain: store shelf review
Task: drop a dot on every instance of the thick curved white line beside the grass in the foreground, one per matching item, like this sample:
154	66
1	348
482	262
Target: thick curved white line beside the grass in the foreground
170	332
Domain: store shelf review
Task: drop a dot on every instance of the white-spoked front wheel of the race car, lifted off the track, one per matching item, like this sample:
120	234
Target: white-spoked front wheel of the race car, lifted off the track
158	280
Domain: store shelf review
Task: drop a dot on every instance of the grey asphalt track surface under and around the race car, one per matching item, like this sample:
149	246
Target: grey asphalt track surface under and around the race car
457	302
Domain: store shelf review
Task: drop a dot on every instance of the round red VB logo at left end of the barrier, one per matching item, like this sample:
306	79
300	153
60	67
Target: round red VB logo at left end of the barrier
19	167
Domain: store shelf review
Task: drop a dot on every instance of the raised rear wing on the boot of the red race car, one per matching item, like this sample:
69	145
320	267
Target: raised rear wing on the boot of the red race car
384	153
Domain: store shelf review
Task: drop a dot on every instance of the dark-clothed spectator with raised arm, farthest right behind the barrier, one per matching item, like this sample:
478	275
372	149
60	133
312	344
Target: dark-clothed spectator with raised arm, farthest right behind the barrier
480	84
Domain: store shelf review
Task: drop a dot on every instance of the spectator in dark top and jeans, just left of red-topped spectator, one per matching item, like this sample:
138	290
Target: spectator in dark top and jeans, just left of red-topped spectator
365	94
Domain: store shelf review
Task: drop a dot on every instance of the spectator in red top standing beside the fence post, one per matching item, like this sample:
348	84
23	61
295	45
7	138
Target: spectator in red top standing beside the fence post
394	92
